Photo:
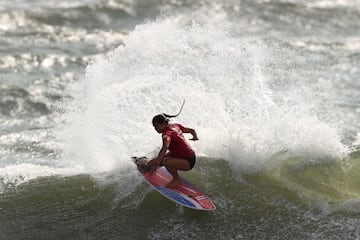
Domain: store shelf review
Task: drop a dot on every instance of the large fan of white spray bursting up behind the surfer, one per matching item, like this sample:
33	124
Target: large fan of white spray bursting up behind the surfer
228	100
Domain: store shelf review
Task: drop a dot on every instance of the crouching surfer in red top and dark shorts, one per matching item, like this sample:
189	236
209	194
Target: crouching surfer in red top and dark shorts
175	154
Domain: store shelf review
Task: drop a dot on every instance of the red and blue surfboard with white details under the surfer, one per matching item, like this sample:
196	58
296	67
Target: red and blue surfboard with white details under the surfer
184	193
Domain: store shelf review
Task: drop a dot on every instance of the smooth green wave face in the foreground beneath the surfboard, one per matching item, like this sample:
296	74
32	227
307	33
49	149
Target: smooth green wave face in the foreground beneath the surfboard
315	202
